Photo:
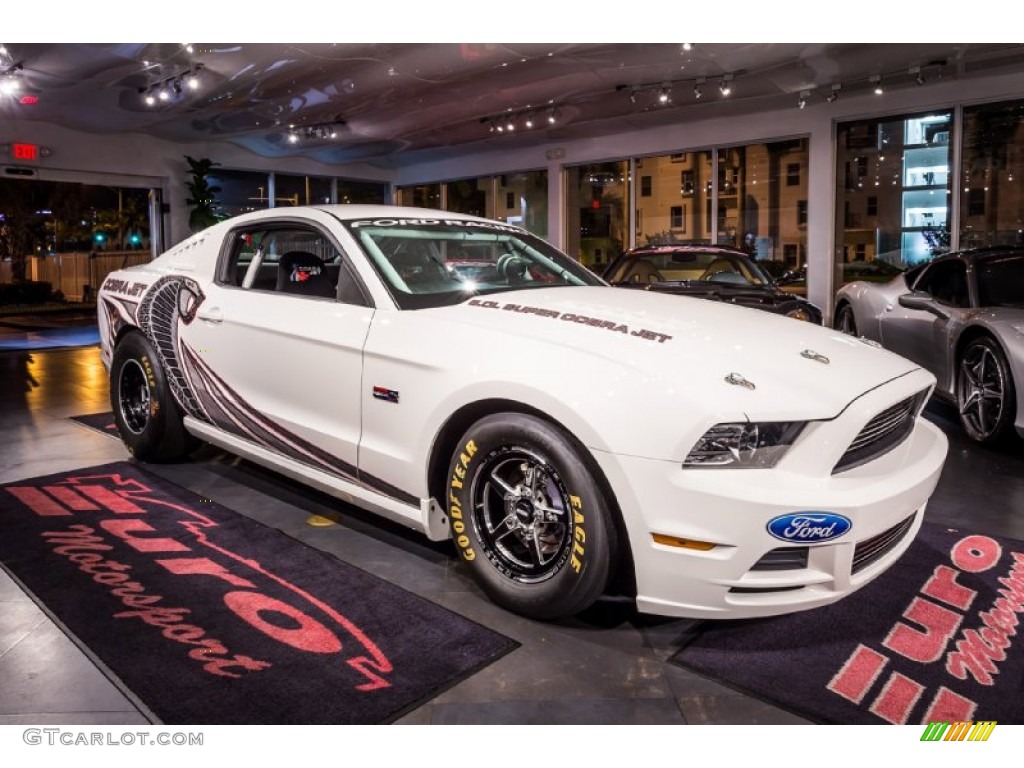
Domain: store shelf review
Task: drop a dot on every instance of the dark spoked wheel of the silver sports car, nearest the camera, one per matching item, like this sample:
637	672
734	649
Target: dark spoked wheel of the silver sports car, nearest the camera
986	394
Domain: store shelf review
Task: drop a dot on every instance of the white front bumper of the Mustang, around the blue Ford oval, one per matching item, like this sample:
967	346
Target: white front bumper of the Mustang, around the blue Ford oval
884	499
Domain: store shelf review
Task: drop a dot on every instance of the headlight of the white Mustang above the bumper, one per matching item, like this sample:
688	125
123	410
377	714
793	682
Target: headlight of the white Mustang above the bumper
745	446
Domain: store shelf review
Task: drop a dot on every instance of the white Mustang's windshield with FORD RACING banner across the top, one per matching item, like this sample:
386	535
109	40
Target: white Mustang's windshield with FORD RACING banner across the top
439	263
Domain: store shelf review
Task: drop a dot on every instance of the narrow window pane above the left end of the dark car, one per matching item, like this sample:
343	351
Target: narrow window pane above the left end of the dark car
596	212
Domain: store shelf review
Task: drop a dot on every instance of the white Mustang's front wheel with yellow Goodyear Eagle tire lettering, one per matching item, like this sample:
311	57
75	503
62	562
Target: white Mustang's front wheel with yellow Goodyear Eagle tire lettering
529	519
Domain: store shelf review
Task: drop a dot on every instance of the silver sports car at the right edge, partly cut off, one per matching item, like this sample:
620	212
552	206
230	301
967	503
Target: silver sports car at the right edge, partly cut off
961	316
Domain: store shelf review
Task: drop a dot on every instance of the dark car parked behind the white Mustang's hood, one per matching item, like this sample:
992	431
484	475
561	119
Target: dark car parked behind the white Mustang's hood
709	273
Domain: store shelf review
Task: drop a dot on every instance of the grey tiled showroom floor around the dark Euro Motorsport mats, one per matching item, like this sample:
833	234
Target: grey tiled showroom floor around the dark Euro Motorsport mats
610	667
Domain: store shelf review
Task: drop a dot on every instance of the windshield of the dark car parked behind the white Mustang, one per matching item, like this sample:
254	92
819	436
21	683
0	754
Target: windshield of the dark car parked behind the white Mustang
672	266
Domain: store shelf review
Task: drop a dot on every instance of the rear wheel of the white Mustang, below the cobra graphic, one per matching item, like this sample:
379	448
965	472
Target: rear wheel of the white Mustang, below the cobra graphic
148	417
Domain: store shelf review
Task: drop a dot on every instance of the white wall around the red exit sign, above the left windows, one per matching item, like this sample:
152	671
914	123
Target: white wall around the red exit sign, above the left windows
135	160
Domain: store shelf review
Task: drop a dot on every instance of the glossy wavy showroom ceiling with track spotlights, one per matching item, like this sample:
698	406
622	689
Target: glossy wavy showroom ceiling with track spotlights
399	104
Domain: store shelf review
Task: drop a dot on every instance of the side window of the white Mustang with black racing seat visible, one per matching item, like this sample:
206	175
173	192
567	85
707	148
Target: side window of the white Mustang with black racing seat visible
291	261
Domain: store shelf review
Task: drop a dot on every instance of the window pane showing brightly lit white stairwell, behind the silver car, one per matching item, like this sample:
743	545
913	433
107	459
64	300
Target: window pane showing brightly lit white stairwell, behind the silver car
893	193
